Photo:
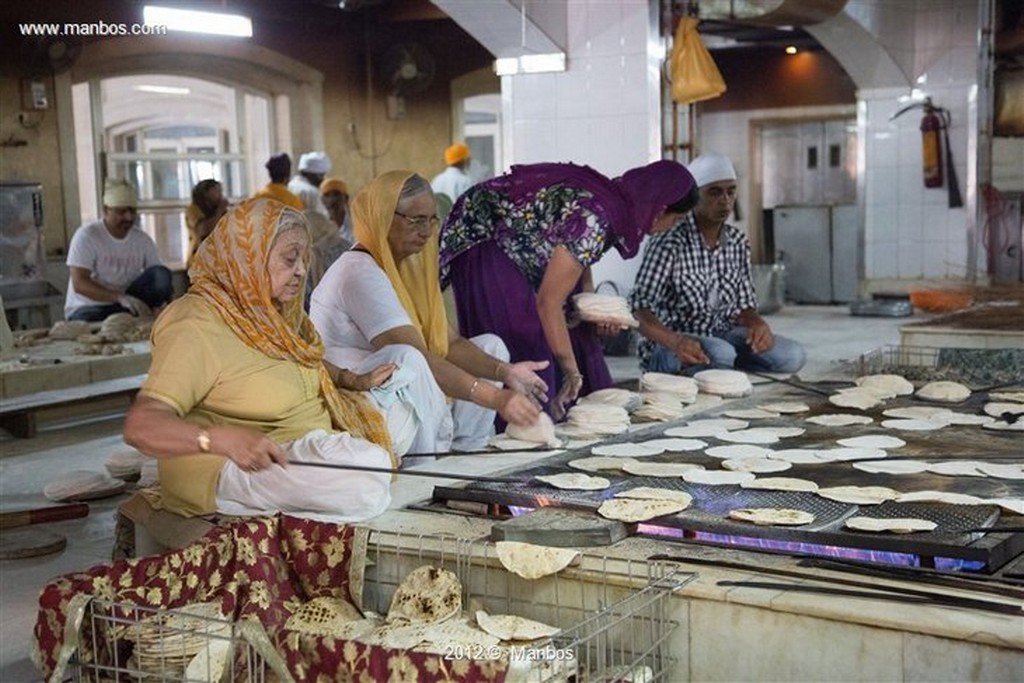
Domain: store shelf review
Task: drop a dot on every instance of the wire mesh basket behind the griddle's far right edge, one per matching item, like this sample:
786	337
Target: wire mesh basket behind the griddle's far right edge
974	367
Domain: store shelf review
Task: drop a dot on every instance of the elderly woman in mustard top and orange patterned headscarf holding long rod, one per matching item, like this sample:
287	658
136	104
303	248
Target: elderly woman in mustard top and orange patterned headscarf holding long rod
239	395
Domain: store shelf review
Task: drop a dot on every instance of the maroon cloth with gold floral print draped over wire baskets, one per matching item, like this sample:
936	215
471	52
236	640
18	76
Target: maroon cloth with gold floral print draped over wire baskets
263	569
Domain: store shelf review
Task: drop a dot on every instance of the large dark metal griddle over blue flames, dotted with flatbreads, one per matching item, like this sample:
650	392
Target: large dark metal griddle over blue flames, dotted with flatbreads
711	504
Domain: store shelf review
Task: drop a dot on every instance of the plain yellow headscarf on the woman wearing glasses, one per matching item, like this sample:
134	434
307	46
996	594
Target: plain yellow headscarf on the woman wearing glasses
416	282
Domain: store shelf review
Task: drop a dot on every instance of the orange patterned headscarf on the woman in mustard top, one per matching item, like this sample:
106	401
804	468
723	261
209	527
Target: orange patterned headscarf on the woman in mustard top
230	271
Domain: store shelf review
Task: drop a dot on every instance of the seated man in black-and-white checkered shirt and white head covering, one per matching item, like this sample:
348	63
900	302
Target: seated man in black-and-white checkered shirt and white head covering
694	295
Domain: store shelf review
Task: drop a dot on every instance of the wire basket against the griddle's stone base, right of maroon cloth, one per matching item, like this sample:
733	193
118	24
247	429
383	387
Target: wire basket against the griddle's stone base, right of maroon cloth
614	616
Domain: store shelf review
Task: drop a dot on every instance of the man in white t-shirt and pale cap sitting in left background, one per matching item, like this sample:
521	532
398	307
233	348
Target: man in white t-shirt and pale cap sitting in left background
114	267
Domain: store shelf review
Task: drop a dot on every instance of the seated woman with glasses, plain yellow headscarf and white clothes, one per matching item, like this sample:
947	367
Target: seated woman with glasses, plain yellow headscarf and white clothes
382	301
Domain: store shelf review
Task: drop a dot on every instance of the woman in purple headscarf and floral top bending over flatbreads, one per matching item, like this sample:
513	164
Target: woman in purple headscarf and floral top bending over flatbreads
517	248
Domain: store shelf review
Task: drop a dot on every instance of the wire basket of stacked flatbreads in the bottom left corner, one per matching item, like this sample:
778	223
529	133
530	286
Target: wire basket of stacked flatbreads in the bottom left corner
118	642
